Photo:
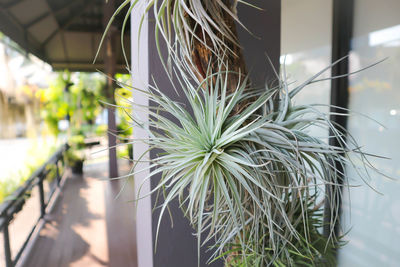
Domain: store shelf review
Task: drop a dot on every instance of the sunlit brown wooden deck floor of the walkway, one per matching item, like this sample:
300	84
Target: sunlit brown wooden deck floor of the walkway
88	226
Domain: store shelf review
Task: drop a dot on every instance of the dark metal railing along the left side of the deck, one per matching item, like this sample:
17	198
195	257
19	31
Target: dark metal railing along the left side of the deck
14	203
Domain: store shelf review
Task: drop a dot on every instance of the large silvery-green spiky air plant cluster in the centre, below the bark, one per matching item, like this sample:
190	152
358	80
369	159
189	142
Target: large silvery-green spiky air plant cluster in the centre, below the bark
242	178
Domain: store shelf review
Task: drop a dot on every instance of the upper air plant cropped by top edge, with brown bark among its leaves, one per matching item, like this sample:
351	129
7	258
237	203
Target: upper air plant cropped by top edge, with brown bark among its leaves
199	31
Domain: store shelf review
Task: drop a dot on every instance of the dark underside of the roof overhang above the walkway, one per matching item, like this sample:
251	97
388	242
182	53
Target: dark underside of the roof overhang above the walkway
64	33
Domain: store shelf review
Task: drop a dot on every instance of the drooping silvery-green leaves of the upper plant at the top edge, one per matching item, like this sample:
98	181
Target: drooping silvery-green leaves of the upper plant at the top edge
180	23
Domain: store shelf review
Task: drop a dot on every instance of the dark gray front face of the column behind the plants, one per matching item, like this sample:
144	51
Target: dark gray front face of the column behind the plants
177	247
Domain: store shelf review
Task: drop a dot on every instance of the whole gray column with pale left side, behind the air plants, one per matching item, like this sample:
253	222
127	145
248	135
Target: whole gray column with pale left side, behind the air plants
177	247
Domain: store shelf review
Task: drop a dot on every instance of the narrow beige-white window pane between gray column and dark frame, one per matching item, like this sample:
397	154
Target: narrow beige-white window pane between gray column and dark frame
306	34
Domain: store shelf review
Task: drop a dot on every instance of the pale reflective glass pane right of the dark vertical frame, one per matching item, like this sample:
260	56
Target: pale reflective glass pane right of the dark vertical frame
374	219
